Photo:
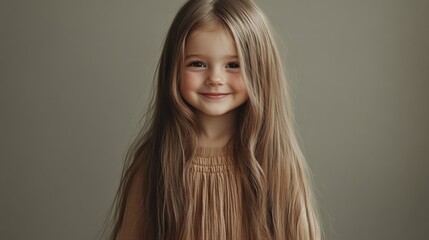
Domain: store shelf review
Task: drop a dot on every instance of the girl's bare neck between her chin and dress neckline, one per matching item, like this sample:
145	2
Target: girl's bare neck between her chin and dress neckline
215	131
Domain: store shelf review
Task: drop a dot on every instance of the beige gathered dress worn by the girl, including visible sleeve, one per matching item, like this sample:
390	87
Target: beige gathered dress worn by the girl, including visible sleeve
213	199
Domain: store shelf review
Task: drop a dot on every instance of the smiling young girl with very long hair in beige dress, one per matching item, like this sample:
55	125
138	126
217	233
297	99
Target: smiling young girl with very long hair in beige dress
218	158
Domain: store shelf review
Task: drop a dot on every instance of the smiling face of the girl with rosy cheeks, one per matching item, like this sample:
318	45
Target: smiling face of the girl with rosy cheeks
212	81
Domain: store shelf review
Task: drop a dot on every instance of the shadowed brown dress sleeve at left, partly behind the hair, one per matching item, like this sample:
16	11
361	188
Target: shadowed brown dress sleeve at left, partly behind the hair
131	228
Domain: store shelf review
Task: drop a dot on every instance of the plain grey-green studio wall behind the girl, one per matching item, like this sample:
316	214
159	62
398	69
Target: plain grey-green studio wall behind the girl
75	77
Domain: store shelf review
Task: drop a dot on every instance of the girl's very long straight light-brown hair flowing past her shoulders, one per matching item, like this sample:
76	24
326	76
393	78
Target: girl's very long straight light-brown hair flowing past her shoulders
274	174
